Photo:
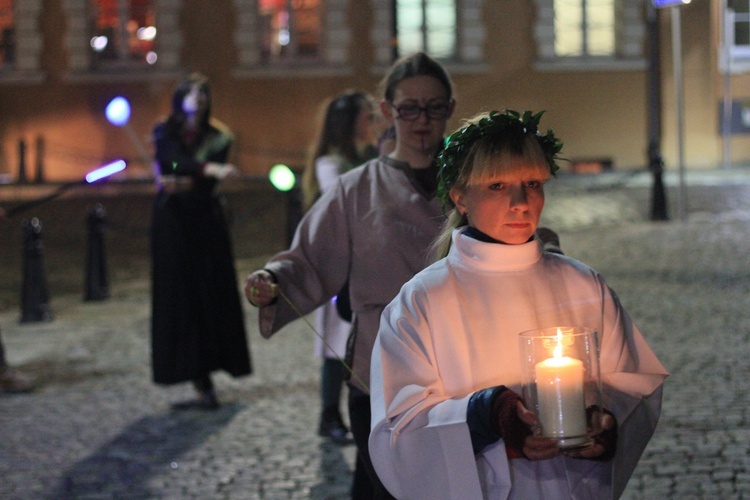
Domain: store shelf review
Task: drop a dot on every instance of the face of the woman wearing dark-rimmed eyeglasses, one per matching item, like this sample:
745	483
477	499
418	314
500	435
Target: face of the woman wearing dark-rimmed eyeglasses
417	140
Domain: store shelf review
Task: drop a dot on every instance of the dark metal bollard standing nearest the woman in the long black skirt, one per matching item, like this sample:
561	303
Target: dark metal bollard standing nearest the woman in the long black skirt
96	285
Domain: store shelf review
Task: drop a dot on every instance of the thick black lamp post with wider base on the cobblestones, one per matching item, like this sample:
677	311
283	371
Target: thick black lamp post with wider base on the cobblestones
655	160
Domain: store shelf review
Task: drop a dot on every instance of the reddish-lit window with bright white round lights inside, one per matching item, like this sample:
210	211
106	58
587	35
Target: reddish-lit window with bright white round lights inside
123	32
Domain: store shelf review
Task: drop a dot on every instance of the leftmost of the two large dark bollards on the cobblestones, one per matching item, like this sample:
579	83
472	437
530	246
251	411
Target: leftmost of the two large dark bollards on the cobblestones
34	291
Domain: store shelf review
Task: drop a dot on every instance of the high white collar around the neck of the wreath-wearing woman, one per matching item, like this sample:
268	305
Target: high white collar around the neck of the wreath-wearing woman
481	256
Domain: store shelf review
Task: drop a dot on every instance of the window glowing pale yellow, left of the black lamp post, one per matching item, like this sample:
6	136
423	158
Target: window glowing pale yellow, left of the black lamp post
584	28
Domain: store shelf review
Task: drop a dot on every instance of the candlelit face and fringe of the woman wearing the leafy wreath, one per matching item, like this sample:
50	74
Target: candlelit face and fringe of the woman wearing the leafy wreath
507	203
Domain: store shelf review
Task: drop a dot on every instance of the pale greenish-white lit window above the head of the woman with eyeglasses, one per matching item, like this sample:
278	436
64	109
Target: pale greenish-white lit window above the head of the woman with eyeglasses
426	25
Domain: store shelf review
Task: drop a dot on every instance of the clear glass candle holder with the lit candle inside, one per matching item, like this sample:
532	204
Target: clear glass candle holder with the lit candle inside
561	383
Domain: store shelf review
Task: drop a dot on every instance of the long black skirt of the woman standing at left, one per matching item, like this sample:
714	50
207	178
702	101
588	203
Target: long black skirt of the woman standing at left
197	323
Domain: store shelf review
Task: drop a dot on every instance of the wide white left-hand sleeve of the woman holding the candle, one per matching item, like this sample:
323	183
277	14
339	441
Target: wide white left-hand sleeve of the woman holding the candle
419	443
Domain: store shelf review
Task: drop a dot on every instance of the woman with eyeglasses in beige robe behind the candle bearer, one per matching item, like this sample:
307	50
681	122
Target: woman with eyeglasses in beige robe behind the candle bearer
374	227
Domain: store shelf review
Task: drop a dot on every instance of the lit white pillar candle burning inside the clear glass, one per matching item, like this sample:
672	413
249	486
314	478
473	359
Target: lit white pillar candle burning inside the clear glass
562	411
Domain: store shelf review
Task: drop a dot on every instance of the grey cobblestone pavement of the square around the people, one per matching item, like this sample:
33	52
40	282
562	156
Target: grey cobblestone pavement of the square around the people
96	427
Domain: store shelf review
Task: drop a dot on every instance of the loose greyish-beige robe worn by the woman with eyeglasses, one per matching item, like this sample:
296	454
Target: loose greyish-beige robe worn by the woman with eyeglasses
374	225
